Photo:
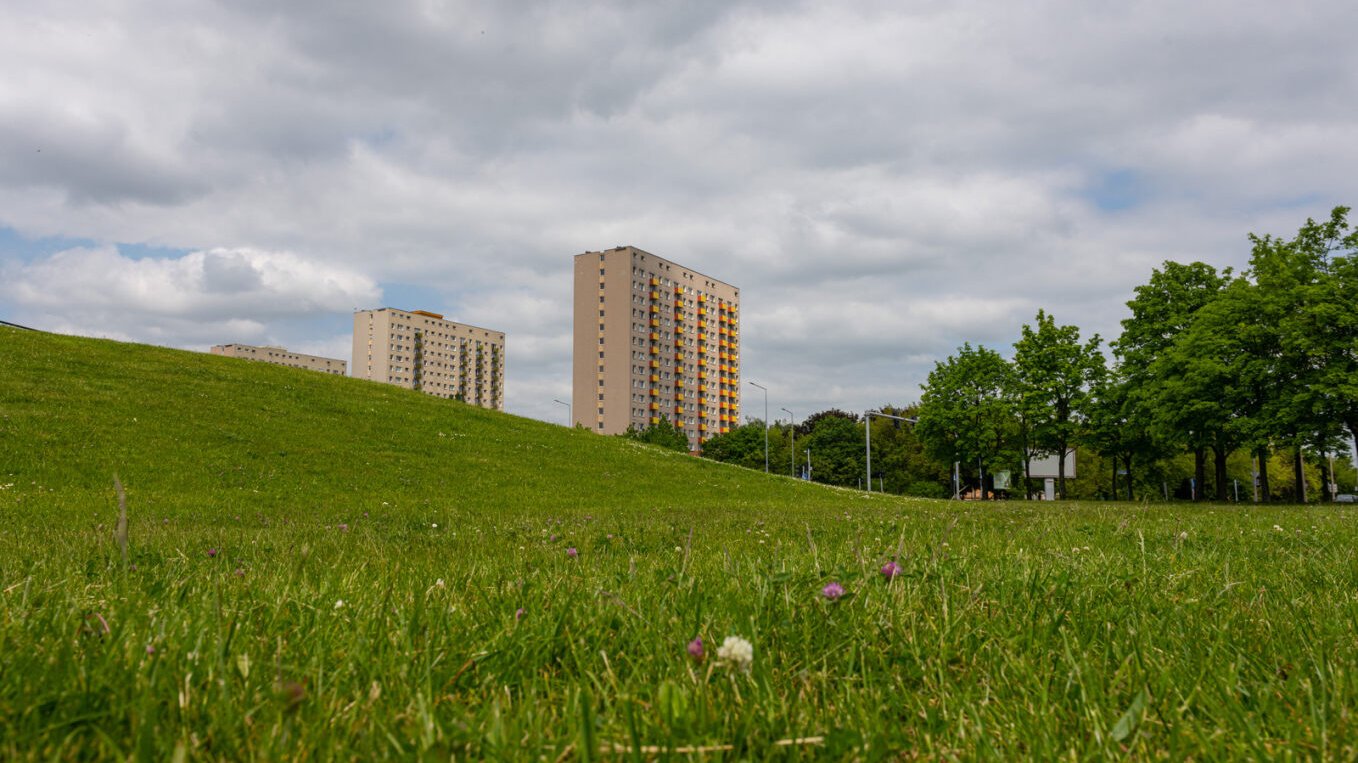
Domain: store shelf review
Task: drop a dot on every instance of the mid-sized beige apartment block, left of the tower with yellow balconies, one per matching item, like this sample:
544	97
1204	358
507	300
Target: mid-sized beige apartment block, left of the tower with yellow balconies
420	351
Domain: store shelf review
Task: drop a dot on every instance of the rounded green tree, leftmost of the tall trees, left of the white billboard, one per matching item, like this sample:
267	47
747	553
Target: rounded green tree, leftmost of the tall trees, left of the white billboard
966	412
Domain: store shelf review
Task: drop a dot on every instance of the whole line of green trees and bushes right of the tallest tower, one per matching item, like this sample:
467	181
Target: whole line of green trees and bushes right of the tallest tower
1217	379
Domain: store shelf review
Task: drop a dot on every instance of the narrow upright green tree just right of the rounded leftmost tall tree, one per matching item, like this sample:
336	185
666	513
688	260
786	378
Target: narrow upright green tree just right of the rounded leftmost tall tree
1053	375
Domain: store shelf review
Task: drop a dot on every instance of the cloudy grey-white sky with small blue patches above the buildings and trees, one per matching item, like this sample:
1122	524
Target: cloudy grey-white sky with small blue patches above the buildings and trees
882	184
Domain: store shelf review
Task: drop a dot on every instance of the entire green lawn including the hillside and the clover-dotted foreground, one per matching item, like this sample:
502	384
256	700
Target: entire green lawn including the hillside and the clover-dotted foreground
325	568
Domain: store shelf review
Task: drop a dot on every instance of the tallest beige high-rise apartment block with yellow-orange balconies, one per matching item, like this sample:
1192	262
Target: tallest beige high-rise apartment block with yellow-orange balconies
654	341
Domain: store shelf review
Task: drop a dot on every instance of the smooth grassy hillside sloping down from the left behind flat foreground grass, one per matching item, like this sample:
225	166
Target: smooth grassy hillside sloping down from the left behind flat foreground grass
194	431
